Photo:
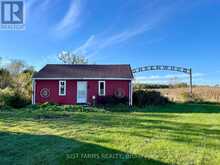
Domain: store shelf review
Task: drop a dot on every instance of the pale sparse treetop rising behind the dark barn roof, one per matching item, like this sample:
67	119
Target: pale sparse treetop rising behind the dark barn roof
71	58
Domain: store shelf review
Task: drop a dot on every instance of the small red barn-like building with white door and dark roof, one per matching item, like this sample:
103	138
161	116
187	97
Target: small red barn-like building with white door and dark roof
81	84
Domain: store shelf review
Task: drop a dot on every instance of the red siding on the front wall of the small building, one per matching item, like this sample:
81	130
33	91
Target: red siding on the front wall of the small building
71	90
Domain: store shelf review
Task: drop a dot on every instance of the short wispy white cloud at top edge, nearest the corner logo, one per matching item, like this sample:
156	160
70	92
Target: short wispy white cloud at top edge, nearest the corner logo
71	19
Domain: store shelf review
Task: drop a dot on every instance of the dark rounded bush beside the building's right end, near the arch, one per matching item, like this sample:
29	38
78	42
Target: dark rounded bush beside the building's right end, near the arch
142	98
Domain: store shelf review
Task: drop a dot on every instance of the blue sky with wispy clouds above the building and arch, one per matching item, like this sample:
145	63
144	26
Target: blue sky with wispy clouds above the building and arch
137	32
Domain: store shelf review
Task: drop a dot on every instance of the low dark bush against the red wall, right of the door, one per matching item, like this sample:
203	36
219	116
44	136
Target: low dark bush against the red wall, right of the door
112	100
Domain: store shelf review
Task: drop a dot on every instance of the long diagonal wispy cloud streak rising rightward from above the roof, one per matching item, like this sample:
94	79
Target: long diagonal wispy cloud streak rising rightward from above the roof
143	23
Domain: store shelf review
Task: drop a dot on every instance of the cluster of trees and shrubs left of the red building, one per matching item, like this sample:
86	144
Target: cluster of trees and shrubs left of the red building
15	81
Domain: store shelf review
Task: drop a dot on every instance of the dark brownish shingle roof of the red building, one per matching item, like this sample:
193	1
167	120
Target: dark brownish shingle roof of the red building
84	71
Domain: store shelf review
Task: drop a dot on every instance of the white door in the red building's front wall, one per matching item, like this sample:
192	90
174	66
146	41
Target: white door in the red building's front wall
81	92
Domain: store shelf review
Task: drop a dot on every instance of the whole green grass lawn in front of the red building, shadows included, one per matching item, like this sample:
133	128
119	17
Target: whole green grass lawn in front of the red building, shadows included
173	134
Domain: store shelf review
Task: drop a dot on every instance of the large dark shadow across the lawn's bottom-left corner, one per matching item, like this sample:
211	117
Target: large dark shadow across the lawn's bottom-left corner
21	148
